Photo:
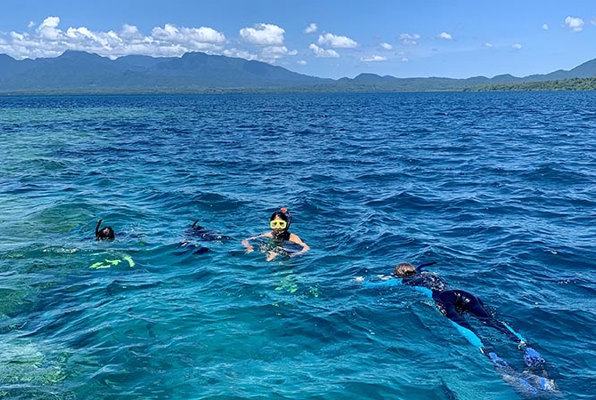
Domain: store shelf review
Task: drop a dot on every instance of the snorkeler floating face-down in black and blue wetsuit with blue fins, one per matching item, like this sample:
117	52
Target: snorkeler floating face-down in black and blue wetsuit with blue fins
454	304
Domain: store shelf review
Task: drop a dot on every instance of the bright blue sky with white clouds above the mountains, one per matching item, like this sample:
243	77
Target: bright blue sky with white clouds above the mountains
448	38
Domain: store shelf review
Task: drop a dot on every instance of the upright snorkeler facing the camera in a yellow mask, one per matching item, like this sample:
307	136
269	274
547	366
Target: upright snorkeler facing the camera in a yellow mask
279	223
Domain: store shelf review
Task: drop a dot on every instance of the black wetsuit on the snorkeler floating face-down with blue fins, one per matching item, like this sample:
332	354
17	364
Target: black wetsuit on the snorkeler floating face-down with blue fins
454	303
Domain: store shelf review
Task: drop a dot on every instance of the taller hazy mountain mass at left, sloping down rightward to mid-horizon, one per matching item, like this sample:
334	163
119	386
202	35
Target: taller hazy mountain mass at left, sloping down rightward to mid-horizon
80	71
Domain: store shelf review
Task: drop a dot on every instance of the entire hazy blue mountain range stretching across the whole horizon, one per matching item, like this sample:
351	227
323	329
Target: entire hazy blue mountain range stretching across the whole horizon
82	72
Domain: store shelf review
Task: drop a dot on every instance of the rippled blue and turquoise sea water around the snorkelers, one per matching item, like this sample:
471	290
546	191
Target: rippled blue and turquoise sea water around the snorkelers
498	188
